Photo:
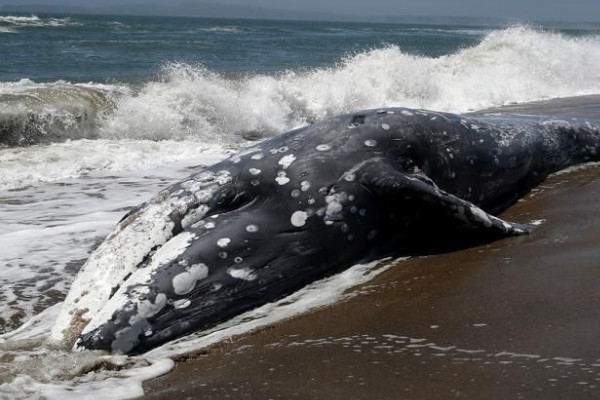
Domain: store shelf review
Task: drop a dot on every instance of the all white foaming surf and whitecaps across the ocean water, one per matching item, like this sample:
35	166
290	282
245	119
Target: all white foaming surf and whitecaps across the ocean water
75	156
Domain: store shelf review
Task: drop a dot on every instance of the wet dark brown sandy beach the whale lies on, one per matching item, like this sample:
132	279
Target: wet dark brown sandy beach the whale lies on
513	319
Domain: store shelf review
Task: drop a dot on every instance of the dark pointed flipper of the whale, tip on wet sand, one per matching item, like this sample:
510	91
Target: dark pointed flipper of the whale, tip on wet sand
382	178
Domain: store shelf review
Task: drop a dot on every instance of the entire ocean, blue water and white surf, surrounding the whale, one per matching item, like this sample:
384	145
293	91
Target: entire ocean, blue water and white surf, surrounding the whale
97	113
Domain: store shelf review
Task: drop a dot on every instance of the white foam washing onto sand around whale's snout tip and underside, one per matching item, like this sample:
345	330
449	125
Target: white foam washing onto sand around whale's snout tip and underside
62	378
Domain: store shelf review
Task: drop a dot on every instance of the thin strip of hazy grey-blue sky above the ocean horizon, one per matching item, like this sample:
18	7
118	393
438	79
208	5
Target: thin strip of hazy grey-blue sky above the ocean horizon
586	10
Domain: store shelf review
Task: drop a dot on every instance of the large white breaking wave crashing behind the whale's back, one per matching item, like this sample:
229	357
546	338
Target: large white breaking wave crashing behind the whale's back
190	102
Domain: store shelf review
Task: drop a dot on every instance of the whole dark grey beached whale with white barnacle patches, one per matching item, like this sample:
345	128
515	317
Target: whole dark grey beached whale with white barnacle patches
305	204
